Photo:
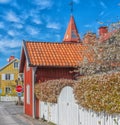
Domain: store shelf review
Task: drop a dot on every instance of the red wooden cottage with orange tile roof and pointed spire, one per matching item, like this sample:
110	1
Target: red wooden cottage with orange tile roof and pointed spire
41	61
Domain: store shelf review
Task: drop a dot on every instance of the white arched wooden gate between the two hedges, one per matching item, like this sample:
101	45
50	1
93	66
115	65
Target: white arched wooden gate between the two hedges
67	108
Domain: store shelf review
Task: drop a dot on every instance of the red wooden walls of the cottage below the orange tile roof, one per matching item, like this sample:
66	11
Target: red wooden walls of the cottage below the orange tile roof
42	74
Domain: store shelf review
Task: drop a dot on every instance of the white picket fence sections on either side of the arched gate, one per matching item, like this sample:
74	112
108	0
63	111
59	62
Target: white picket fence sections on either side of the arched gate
49	112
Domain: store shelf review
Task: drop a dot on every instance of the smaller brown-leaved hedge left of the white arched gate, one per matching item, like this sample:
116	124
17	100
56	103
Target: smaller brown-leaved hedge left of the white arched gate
49	91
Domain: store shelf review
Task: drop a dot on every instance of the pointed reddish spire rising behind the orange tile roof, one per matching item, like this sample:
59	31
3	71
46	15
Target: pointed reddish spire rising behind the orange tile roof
71	34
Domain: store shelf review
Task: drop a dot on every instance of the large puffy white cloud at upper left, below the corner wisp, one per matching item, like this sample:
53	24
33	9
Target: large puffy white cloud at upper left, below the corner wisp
11	16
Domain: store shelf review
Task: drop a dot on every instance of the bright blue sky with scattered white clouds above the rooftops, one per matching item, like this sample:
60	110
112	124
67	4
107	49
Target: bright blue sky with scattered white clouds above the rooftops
47	20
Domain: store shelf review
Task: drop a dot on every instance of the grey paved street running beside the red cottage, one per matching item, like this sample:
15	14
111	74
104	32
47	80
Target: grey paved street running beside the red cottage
11	114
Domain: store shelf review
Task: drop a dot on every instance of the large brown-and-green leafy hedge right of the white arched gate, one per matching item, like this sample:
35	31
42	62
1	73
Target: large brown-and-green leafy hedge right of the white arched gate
99	93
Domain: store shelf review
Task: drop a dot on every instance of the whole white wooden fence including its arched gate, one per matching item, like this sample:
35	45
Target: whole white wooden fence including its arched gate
67	112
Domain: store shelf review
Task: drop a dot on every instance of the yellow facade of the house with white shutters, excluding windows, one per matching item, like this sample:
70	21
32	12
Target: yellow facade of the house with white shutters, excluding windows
9	69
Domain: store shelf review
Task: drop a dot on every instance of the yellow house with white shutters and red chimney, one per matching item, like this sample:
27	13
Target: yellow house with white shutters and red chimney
9	77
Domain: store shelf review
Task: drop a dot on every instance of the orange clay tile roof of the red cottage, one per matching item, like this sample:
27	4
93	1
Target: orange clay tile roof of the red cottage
55	54
